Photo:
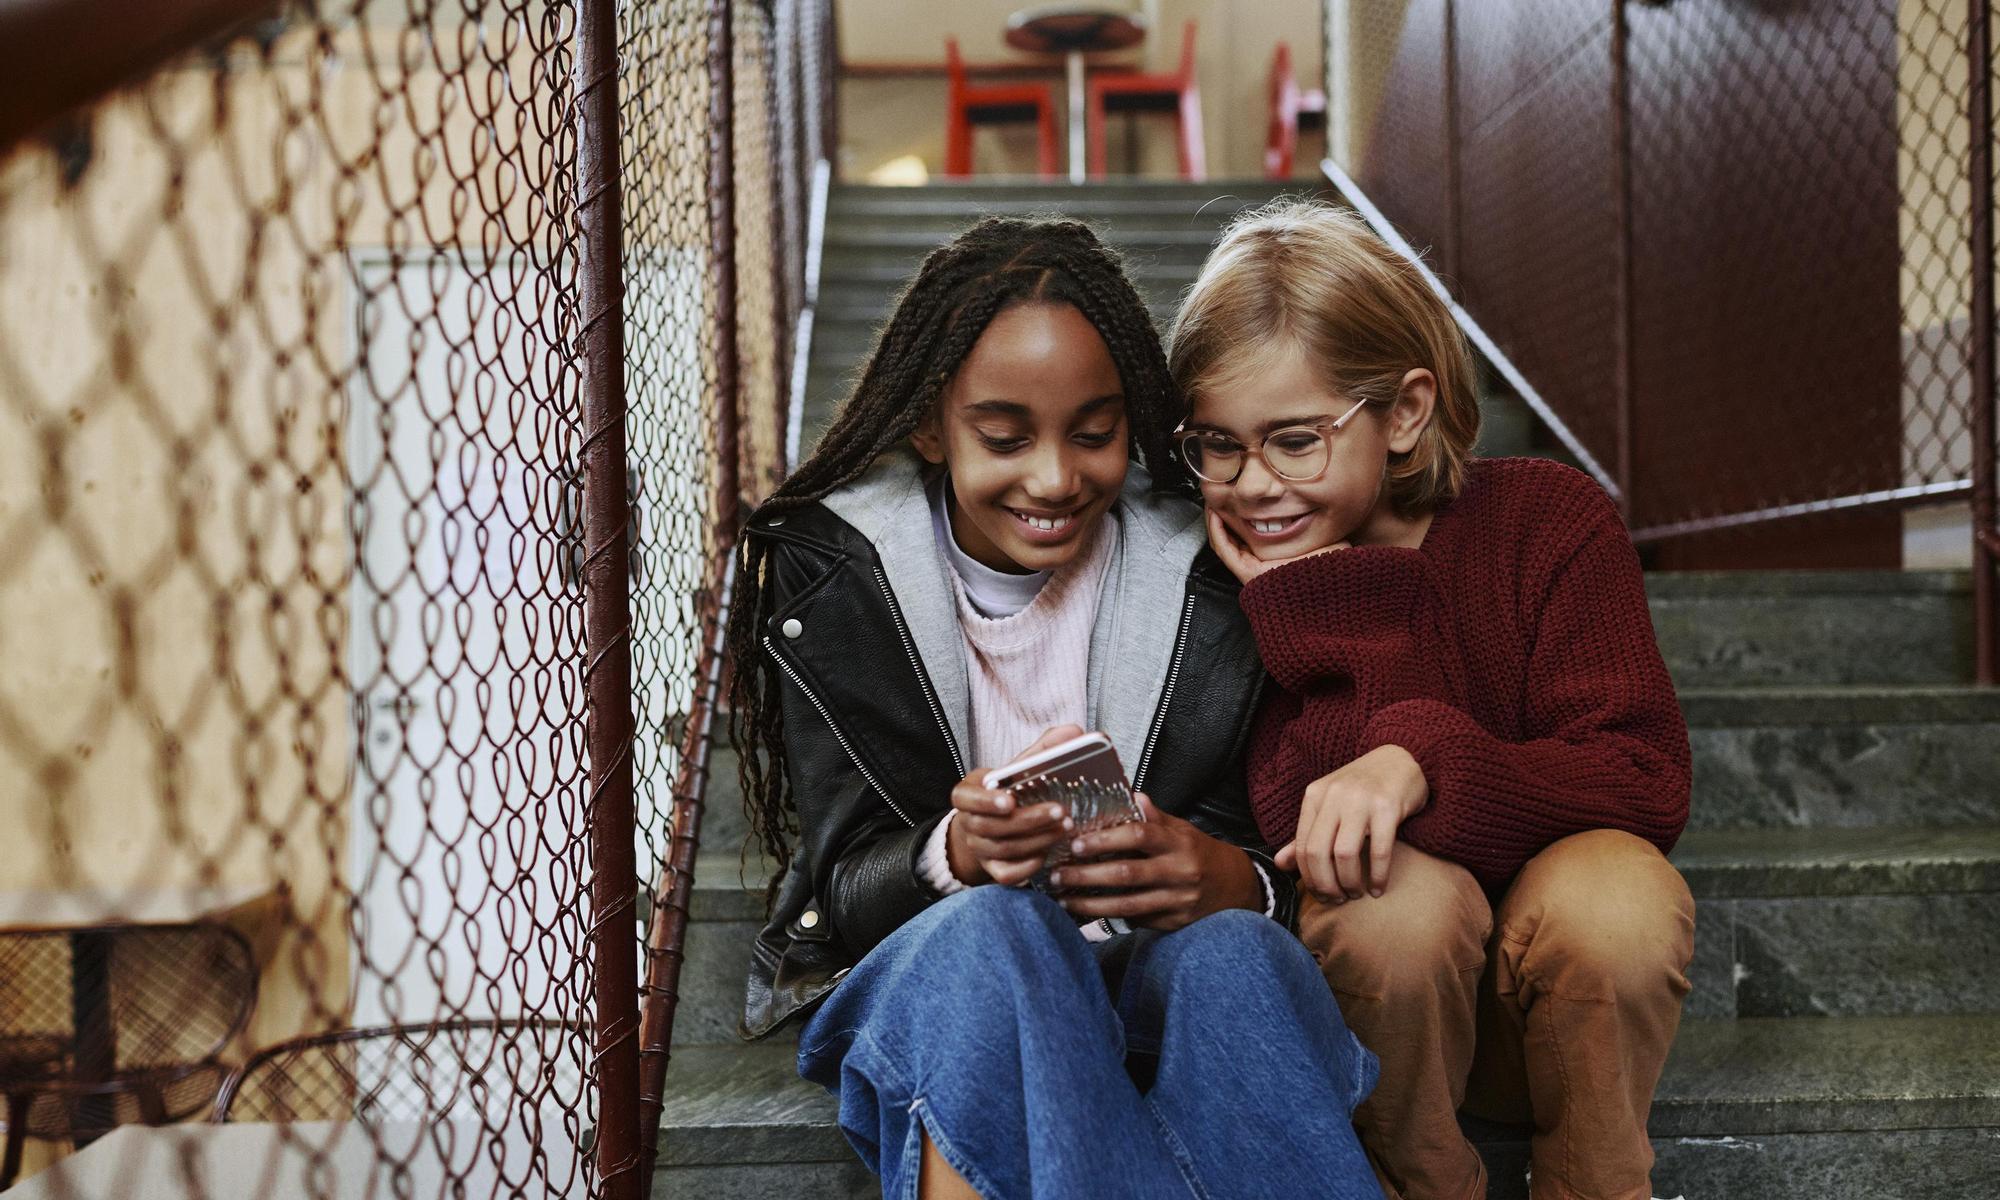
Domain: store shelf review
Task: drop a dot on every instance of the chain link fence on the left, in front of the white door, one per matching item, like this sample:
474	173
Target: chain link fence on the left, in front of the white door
353	361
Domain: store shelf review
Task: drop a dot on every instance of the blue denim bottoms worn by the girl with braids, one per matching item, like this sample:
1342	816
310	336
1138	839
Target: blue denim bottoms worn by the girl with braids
1223	1067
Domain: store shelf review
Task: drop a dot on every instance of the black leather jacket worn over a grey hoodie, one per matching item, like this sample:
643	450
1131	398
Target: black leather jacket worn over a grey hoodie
873	759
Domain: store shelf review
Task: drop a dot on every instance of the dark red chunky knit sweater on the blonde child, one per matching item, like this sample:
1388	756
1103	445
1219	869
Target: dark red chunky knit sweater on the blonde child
1513	657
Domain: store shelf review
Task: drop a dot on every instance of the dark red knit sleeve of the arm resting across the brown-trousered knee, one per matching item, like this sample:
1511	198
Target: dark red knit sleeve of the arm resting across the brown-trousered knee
1605	739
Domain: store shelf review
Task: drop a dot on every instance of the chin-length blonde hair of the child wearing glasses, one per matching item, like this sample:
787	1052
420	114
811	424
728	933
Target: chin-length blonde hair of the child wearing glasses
1311	277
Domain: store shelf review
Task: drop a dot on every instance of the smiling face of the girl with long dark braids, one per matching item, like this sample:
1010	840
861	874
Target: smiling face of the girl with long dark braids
1033	433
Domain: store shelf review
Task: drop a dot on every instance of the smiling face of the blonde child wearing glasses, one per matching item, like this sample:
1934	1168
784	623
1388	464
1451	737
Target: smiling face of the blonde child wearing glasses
1349	501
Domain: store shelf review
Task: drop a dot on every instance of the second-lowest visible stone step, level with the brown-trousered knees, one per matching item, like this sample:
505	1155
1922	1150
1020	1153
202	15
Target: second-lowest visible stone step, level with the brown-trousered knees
1783	919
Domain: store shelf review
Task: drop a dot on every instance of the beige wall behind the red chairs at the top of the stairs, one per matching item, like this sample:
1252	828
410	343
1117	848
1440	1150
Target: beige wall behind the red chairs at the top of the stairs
891	119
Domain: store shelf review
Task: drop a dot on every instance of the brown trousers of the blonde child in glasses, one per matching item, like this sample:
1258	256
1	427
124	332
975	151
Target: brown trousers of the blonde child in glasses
1555	1009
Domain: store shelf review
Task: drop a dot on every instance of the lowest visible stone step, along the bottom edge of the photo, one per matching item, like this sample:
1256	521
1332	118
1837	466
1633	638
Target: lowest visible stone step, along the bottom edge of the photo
1859	1109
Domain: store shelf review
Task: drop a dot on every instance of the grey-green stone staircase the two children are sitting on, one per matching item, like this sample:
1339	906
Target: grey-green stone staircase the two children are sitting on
1843	1037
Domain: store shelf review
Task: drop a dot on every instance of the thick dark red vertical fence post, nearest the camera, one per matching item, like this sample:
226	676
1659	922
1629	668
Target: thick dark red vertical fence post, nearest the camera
607	603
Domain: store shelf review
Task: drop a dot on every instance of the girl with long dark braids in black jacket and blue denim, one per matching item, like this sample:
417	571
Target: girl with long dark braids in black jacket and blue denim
967	569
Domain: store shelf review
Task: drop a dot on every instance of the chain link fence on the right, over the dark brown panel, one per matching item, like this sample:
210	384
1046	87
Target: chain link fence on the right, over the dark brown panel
1741	251
